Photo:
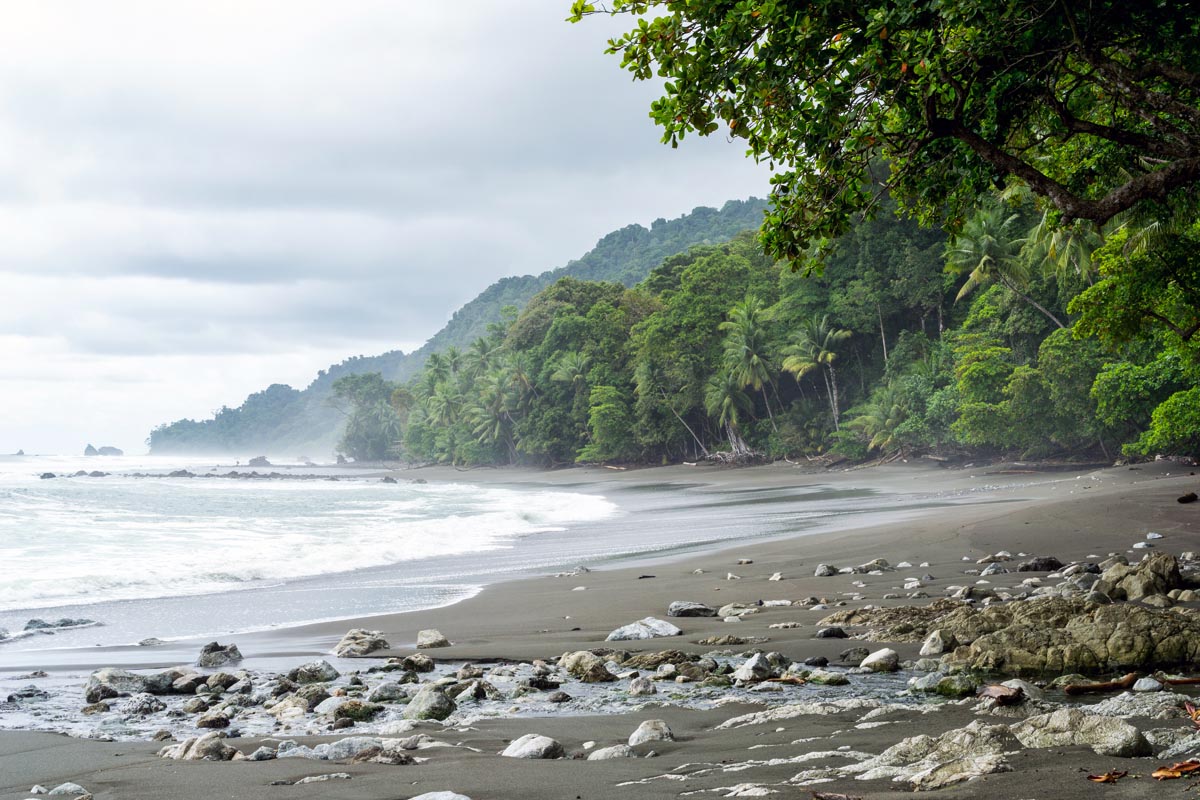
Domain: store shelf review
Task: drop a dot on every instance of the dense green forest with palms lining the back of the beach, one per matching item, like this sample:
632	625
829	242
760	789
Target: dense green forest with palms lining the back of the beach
1010	338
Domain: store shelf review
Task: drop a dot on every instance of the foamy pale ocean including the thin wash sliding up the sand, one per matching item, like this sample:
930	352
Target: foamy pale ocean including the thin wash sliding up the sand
143	555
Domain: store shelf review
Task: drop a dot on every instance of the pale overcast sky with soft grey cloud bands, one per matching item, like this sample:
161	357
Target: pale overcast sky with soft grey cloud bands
200	200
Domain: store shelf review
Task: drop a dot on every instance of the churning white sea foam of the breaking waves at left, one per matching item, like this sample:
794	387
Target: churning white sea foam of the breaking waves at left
85	540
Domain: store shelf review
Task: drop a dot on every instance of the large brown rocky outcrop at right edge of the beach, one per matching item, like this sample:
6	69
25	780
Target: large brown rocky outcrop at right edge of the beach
1072	636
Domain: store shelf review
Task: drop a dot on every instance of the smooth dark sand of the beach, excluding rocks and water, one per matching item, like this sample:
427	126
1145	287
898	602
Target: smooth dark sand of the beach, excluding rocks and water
1071	515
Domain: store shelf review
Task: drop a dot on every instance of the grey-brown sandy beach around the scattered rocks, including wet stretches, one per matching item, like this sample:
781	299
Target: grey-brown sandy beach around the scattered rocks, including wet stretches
956	518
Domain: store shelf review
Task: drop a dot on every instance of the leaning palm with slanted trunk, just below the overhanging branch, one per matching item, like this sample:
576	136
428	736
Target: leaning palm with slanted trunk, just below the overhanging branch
989	249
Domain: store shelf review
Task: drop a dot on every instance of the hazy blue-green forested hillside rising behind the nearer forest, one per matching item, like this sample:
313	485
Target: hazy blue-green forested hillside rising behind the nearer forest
281	419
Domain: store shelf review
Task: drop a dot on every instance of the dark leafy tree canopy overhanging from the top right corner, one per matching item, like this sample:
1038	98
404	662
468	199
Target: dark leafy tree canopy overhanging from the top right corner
1093	106
